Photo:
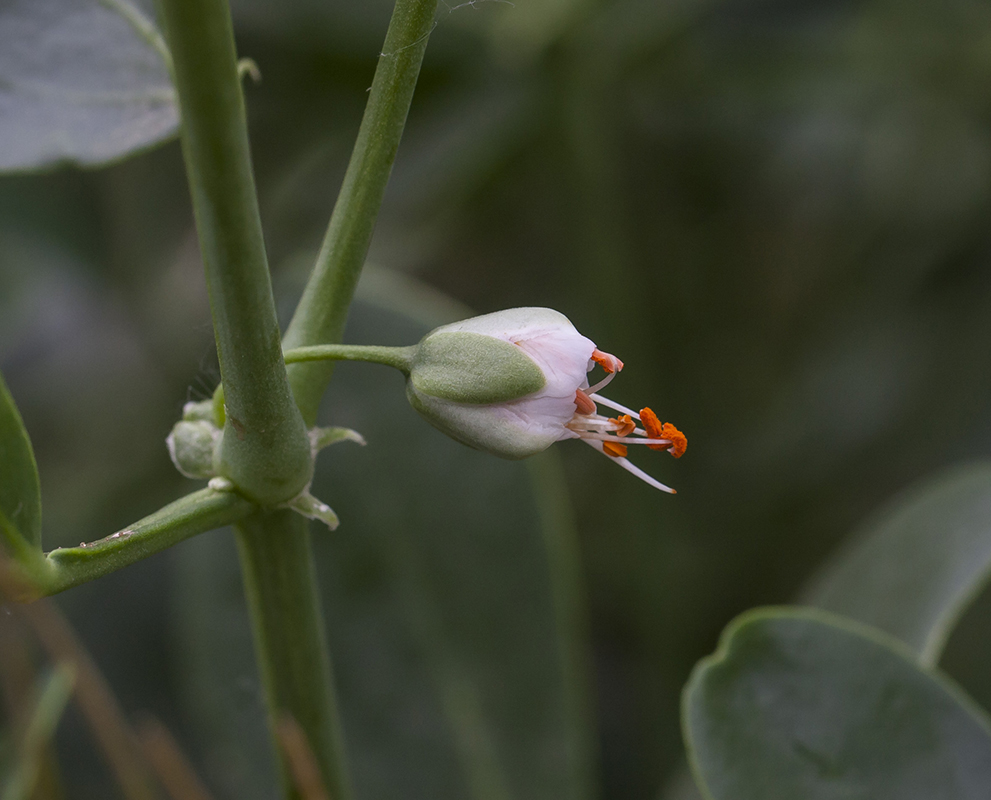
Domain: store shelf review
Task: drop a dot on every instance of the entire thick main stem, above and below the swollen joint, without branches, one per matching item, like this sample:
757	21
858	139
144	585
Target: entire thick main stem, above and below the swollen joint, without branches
266	451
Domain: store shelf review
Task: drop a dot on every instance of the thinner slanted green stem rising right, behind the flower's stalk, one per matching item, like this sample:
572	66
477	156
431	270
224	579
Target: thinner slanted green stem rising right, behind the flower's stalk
323	309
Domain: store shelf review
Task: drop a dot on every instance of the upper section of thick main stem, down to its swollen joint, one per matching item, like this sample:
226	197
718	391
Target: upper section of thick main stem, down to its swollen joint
265	452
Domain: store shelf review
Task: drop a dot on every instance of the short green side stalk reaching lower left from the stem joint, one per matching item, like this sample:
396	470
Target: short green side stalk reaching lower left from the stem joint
193	514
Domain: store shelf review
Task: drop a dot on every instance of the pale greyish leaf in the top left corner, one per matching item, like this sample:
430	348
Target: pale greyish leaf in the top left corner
81	81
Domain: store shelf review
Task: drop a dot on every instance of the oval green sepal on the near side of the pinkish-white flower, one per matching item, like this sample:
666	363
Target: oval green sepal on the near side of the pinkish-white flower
467	367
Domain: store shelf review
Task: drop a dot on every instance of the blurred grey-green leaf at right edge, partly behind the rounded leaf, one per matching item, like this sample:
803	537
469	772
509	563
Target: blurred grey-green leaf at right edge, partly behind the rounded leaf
913	570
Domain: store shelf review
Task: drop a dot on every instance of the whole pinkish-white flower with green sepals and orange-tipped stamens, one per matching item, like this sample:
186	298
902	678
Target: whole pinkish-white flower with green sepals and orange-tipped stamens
514	382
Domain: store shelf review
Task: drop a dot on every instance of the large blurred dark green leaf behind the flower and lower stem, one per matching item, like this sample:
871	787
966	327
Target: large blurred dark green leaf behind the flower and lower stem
439	592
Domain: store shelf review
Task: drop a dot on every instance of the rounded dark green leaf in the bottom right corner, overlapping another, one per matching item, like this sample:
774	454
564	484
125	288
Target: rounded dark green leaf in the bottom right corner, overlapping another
797	703
